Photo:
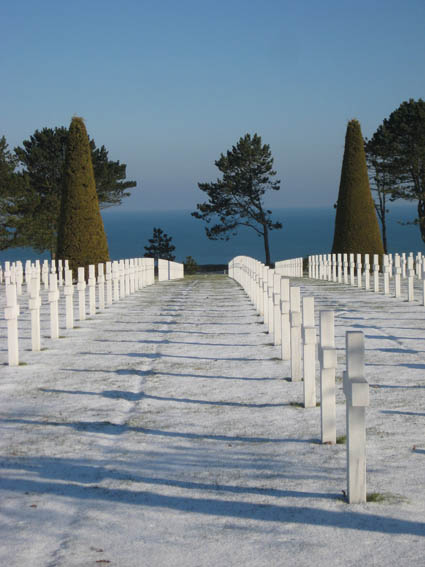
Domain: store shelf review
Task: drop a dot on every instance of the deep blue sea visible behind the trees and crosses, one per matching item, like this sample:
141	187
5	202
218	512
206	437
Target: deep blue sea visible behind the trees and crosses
305	231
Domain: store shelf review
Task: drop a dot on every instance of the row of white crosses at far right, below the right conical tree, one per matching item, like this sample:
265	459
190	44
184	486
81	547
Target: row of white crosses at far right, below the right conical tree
355	269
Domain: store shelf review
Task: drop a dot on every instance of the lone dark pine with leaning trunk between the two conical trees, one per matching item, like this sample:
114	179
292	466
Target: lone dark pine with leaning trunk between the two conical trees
237	198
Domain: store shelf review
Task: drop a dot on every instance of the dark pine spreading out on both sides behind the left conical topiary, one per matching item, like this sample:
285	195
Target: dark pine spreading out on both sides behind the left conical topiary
33	214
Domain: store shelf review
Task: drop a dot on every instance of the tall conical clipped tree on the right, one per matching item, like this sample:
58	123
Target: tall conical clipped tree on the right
356	224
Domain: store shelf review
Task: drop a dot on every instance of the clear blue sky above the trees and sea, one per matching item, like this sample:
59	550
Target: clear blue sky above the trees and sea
167	86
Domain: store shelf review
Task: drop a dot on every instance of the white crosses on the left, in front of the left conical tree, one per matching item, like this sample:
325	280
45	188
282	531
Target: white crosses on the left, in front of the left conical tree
121	278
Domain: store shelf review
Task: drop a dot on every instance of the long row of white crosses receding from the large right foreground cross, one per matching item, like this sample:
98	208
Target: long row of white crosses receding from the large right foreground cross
293	328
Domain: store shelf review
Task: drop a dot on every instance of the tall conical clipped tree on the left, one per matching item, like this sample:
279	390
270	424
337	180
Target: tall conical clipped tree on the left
81	236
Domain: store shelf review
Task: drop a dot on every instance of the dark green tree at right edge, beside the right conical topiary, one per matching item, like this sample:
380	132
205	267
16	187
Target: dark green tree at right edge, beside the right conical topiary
398	148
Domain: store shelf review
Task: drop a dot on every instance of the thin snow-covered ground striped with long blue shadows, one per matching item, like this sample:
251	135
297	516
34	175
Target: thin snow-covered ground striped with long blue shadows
164	431
